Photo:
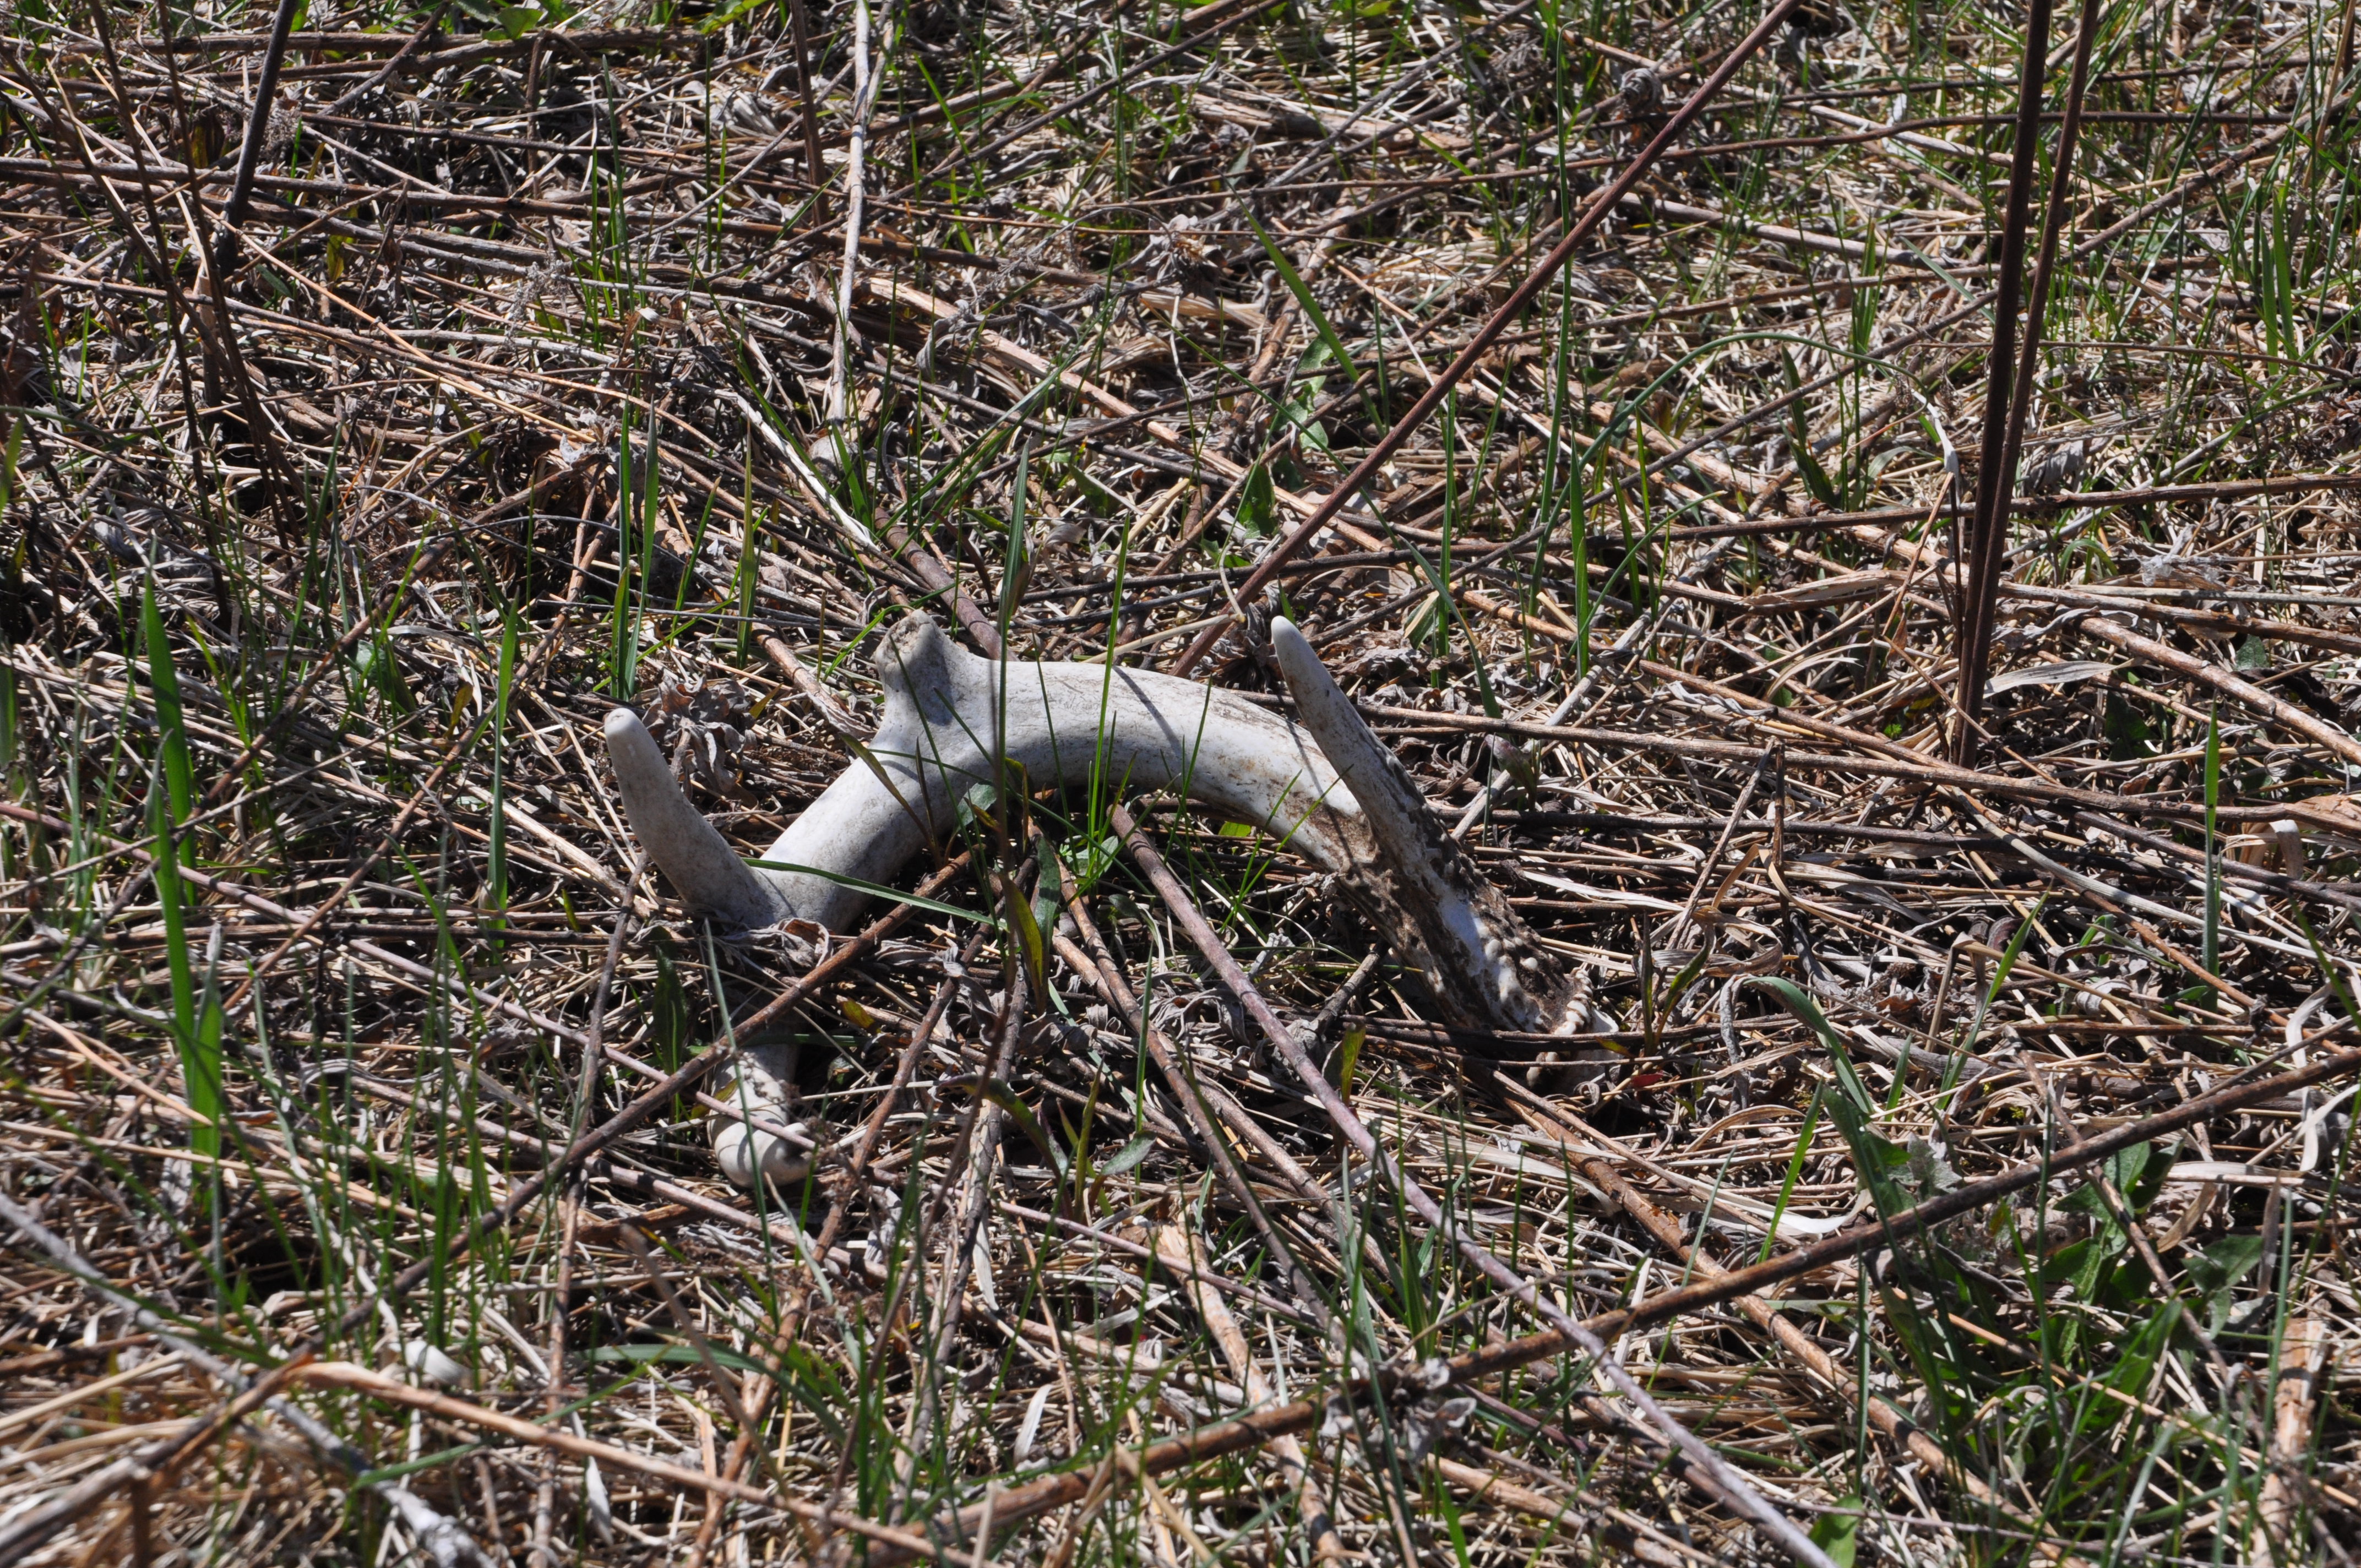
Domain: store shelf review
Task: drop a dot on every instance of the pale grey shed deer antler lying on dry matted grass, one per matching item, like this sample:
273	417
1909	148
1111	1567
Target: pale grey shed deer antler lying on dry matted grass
1326	788
